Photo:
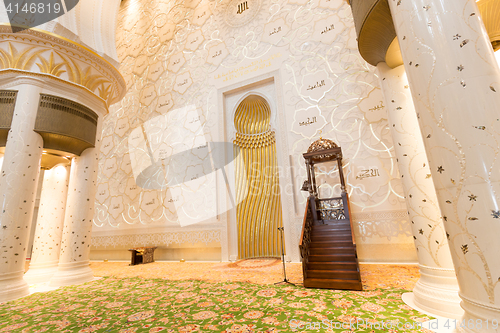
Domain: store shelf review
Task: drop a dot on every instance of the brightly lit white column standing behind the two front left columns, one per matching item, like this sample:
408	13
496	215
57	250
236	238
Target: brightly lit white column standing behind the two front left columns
49	225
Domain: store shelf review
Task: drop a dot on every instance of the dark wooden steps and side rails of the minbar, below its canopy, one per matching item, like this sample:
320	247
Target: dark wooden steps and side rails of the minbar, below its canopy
329	258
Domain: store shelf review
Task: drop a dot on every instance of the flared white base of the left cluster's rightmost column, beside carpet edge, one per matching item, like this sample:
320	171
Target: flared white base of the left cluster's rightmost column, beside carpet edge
72	273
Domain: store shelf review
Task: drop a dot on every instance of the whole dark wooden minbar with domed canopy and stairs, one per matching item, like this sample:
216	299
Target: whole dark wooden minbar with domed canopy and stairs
327	244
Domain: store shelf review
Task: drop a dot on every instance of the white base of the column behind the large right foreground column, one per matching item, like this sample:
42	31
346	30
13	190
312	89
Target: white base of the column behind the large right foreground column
436	293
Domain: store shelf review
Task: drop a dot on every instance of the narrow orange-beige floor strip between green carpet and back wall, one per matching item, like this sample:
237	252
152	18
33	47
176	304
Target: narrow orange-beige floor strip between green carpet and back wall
261	271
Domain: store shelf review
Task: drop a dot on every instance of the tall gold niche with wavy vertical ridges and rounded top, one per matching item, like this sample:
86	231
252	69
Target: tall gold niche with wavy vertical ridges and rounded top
258	213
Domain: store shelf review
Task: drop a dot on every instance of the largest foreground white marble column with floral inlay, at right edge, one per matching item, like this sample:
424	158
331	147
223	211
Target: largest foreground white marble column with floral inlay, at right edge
455	84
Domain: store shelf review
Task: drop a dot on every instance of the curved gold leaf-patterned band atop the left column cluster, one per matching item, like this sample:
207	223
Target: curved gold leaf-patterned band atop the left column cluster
37	52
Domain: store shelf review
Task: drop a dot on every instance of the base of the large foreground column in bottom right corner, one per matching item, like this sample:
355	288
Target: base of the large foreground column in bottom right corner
478	317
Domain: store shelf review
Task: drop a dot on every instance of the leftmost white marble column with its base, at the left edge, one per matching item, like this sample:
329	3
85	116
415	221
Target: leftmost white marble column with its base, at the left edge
18	183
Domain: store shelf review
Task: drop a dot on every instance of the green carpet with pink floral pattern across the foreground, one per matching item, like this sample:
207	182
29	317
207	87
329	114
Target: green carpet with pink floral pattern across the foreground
138	305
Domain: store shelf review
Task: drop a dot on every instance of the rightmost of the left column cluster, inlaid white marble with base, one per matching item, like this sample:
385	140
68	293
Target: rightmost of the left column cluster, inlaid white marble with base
75	246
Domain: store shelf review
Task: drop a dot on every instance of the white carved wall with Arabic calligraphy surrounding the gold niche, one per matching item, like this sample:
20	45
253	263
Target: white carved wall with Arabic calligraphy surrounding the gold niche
178	54
